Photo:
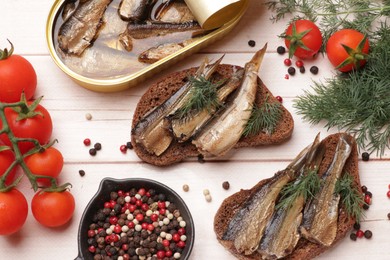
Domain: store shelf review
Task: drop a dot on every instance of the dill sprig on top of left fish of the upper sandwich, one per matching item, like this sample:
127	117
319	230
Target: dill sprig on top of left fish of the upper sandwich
203	95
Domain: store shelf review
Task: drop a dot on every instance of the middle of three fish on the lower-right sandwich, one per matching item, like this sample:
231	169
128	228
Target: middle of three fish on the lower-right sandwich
282	232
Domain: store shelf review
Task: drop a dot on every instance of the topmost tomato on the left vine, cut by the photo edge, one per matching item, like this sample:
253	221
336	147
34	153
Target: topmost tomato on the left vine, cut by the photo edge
17	75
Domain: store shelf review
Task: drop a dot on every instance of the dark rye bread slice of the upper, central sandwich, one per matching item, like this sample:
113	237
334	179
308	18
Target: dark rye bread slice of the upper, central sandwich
164	88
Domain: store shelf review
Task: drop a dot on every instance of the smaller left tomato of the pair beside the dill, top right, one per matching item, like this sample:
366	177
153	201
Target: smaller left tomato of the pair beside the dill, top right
303	39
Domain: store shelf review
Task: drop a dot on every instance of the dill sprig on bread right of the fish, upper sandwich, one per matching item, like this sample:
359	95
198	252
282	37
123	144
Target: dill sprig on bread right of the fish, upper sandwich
264	118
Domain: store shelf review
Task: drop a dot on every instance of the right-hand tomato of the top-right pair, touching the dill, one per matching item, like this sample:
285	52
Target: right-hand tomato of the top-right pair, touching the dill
338	55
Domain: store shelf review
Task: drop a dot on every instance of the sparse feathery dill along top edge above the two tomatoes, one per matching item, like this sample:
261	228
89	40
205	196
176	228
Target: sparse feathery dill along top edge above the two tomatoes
333	15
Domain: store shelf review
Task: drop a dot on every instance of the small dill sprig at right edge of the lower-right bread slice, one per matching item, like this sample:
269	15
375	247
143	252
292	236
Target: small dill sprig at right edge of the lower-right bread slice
350	196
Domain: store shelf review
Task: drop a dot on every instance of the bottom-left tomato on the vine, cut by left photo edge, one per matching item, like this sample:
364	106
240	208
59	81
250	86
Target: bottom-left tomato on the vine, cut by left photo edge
13	211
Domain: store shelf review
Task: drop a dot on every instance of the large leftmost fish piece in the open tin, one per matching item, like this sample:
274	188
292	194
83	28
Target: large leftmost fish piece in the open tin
81	28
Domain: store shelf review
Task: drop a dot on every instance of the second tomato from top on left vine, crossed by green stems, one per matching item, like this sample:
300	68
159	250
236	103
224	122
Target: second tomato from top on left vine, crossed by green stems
38	127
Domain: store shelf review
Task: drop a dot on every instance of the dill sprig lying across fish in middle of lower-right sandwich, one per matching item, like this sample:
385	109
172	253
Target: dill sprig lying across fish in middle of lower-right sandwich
306	185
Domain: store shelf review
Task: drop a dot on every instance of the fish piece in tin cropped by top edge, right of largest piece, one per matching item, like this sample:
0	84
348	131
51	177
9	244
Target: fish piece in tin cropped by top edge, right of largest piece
133	10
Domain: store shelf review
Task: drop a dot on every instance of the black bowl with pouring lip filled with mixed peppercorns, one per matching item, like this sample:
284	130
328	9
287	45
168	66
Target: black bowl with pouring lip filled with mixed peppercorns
135	219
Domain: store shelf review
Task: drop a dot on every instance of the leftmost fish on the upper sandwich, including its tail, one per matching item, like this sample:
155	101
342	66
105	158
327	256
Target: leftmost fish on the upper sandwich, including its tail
151	131
